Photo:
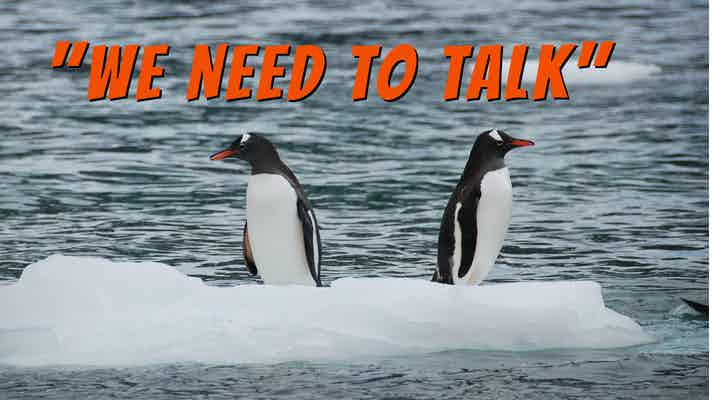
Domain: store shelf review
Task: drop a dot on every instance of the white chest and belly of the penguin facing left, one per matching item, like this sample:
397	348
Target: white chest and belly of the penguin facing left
276	234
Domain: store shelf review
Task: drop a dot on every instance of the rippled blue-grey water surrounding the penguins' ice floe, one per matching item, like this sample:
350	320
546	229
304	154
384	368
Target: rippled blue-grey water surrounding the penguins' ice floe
615	191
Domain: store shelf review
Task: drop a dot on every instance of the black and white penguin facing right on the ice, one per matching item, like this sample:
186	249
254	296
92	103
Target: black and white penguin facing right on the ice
478	213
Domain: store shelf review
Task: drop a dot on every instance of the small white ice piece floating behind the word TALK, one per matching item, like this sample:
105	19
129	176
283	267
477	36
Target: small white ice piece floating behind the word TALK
617	72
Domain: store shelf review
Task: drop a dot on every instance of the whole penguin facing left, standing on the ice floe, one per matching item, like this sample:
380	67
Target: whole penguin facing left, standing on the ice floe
281	240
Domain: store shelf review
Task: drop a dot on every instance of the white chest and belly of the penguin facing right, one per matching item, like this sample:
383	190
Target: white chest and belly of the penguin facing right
494	213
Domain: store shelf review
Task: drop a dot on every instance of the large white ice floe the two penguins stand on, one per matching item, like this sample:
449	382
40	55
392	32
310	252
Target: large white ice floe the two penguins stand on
92	311
